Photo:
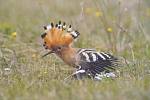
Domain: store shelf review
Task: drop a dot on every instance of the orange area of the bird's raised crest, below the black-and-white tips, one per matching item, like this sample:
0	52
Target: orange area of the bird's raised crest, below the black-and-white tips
56	37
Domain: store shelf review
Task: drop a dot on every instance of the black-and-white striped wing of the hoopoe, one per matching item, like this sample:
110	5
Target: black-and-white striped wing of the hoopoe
96	62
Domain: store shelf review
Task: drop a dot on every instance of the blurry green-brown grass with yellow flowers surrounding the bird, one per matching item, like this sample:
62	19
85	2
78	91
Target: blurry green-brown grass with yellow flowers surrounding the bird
117	26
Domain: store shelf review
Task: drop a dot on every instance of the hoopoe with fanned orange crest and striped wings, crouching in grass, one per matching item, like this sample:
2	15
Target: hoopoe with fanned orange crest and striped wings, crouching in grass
88	62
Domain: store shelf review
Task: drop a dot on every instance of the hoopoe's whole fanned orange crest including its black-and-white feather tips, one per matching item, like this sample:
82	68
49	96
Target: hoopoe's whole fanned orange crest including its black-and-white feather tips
58	34
